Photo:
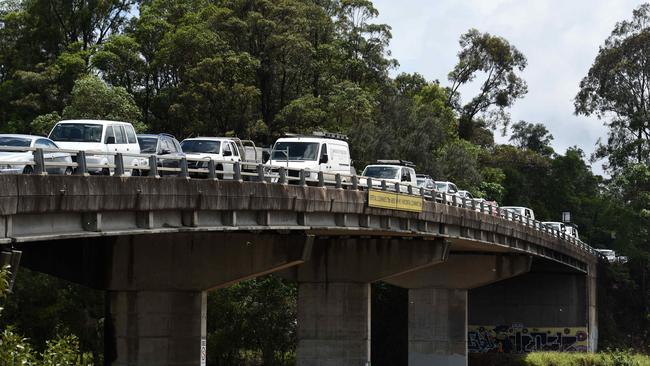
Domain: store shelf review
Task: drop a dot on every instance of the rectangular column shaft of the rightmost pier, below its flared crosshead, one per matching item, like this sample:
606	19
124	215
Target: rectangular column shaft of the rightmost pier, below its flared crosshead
437	327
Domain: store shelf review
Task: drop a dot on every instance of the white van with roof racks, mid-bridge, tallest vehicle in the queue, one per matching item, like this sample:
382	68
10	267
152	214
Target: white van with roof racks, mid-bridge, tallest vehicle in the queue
325	152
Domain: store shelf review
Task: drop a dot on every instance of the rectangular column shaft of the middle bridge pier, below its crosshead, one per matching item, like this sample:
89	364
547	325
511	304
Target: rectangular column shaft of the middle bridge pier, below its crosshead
333	324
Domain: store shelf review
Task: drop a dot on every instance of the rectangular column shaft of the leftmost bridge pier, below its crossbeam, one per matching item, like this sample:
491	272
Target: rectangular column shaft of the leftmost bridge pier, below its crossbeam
155	328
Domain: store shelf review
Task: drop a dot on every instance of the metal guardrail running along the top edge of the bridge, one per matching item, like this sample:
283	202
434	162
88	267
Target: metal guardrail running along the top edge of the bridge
153	165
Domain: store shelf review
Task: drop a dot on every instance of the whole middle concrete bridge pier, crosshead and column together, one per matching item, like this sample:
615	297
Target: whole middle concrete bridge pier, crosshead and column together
334	293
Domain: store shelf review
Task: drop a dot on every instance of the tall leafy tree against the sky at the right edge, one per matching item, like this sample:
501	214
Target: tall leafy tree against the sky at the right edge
617	89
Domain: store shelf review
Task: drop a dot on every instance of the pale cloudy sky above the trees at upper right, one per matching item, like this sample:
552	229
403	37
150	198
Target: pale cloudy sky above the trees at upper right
560	39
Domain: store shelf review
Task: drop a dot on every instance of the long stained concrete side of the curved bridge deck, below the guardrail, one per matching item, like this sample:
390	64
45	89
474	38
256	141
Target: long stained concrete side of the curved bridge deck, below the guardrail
41	208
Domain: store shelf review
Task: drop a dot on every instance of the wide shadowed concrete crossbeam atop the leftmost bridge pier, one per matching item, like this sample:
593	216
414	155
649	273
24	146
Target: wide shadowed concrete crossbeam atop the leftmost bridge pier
168	262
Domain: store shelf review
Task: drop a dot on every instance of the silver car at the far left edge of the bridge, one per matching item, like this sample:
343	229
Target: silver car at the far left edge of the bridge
14	161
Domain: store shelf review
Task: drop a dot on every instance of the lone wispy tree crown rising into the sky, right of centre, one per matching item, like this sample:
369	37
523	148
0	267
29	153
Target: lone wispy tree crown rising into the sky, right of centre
500	62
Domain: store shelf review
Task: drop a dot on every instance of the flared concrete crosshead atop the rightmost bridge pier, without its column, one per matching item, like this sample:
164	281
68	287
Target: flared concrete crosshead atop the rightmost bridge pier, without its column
465	271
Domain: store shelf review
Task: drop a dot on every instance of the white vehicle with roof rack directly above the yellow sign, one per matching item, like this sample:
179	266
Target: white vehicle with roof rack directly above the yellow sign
391	171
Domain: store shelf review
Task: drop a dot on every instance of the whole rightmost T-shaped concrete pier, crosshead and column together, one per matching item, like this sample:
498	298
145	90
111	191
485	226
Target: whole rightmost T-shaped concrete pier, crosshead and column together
438	310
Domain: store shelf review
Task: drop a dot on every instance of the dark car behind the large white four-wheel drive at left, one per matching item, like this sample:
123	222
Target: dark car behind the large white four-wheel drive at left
162	145
